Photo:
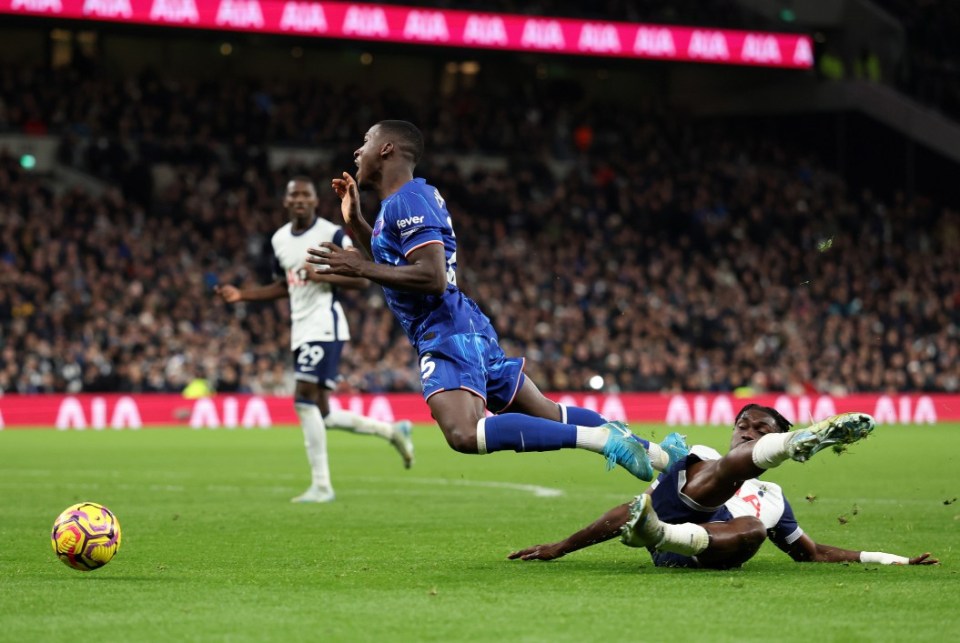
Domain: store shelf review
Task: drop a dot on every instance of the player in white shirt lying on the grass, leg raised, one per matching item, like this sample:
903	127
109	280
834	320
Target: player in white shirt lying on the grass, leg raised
712	511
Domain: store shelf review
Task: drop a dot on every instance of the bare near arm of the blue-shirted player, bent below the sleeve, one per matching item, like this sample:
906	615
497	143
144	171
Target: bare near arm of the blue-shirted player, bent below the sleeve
426	271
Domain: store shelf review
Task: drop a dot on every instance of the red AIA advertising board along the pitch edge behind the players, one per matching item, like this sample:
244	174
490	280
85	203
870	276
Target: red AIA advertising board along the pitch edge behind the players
97	412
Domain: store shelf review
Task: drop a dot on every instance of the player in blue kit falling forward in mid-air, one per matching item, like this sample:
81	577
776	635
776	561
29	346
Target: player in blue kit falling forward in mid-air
411	250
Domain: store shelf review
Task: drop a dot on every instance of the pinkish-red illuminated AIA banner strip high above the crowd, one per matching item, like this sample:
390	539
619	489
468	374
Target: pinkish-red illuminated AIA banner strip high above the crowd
451	28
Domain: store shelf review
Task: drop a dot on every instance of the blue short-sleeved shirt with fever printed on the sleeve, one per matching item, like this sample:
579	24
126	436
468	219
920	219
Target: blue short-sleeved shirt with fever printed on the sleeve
411	218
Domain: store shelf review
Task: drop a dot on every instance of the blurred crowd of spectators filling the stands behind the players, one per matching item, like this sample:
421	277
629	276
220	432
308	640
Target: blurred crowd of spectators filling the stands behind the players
659	253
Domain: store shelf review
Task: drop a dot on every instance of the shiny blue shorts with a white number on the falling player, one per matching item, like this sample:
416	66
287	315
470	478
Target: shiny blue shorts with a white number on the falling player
474	363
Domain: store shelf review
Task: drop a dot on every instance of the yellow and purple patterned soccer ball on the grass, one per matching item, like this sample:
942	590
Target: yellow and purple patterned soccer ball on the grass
86	536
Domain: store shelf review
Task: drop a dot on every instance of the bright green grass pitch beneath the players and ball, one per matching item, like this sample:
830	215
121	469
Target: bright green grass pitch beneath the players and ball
214	551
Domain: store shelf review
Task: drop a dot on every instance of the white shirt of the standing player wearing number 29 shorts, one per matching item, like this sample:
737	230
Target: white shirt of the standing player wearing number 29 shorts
315	312
